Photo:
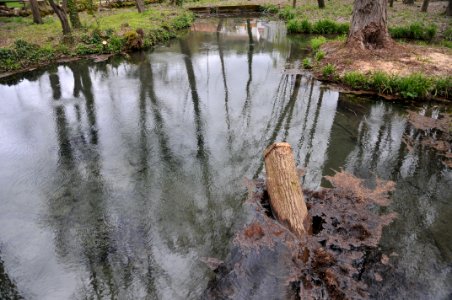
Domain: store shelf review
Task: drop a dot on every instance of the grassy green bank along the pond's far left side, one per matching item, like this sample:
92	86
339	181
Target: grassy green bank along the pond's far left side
25	44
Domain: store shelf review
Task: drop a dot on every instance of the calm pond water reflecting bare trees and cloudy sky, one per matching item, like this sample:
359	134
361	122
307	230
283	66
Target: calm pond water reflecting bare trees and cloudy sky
117	177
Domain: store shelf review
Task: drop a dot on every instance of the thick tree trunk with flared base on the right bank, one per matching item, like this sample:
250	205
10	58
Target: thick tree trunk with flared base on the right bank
369	28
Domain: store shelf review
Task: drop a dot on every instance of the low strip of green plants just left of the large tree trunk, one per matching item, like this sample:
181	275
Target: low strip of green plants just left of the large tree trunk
324	26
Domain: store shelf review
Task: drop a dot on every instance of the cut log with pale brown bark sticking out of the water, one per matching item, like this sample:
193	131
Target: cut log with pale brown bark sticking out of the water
286	196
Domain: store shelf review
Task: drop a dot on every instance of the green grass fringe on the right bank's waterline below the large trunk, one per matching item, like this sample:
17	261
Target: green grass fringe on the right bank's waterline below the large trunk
412	84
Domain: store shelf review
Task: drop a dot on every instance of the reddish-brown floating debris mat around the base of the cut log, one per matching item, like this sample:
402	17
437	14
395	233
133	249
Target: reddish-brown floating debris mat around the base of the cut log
267	261
